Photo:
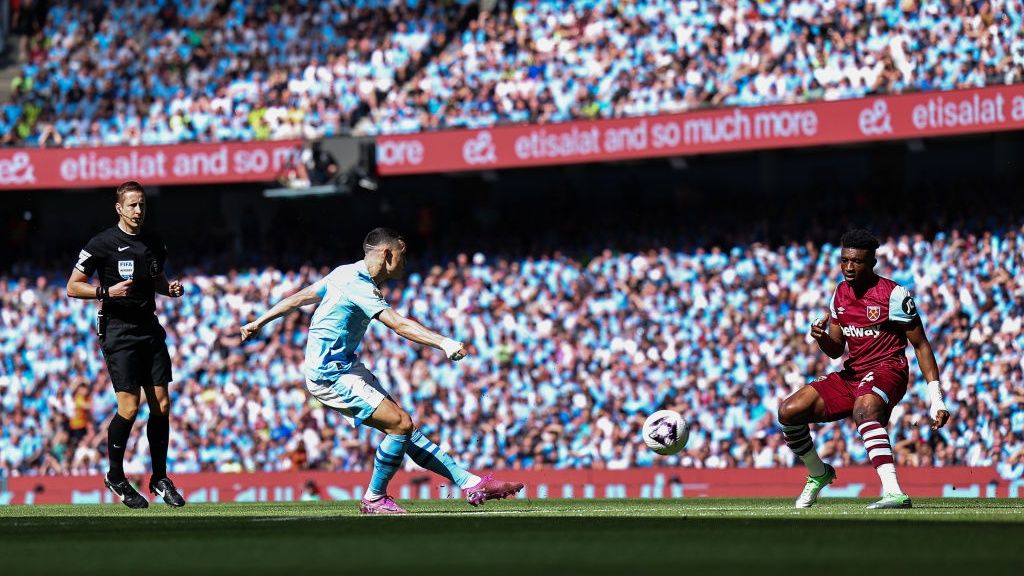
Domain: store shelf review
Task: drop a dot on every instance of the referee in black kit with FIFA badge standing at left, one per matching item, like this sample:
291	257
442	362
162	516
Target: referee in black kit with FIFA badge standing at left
131	267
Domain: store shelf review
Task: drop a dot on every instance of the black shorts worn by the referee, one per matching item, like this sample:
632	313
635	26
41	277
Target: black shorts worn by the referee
137	354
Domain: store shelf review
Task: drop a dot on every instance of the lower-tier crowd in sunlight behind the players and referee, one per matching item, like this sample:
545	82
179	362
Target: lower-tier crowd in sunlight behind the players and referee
569	358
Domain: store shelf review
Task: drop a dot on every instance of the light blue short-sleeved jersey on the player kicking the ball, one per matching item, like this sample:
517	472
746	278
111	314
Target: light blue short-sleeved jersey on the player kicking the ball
350	302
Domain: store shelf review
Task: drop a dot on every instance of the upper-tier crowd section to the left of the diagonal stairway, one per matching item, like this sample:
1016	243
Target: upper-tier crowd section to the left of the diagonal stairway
132	72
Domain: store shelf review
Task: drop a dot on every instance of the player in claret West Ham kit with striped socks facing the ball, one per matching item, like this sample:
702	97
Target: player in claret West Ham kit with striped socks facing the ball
875	318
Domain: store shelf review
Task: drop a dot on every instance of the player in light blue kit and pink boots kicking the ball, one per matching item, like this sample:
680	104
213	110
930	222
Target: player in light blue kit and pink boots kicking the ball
348	300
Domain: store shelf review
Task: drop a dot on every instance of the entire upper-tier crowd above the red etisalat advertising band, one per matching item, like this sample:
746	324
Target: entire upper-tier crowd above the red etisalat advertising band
130	72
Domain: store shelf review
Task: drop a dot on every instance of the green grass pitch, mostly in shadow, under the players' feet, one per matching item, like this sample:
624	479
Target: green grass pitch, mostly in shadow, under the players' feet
982	538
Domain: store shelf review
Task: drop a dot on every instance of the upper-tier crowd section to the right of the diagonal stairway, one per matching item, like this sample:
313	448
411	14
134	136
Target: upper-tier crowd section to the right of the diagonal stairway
551	62
